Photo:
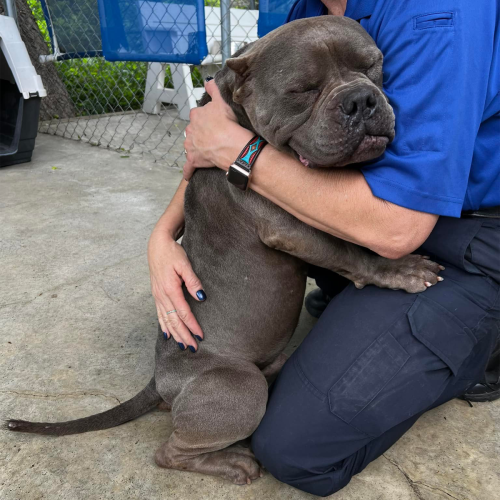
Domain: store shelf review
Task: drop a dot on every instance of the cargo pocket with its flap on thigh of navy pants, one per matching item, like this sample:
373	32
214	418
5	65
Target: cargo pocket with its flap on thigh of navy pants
389	384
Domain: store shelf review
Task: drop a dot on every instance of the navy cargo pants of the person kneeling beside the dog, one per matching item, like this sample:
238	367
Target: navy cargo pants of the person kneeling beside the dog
377	359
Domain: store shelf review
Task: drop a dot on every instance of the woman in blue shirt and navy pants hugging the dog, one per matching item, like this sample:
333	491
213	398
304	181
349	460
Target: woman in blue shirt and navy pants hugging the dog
359	381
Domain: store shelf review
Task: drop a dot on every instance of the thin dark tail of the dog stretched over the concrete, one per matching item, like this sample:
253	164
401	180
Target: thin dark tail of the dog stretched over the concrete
141	403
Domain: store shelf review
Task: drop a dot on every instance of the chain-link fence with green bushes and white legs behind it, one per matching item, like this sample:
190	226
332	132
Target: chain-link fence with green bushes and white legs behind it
133	107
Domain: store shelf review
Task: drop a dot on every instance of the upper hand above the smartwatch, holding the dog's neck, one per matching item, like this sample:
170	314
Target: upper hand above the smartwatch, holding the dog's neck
213	134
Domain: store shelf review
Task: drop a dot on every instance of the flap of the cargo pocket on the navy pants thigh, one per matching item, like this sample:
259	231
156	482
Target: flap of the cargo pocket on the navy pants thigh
441	331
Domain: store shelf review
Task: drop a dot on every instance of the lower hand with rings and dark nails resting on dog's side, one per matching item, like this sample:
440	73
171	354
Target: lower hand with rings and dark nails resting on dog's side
169	267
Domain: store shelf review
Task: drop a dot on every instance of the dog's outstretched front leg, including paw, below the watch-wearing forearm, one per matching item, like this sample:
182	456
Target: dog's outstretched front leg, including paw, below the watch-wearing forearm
284	232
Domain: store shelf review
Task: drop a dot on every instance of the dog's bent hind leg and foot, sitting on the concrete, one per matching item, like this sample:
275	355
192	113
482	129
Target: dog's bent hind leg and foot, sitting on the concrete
217	409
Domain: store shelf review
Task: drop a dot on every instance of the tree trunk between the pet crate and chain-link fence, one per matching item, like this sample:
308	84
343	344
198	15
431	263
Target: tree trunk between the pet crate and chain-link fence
57	103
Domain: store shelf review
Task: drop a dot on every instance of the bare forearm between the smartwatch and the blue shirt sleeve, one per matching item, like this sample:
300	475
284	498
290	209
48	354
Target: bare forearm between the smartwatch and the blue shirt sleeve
340	202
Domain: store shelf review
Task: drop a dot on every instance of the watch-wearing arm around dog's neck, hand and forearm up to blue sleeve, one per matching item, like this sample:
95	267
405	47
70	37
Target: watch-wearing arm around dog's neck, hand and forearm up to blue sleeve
337	201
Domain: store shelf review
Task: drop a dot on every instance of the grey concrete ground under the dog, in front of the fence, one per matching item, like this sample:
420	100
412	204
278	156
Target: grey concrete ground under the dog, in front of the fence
77	332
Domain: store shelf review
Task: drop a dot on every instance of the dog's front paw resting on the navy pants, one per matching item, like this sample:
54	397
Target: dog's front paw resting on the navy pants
413	273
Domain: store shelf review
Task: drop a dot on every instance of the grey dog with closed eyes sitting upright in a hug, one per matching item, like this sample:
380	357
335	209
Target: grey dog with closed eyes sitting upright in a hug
312	88
